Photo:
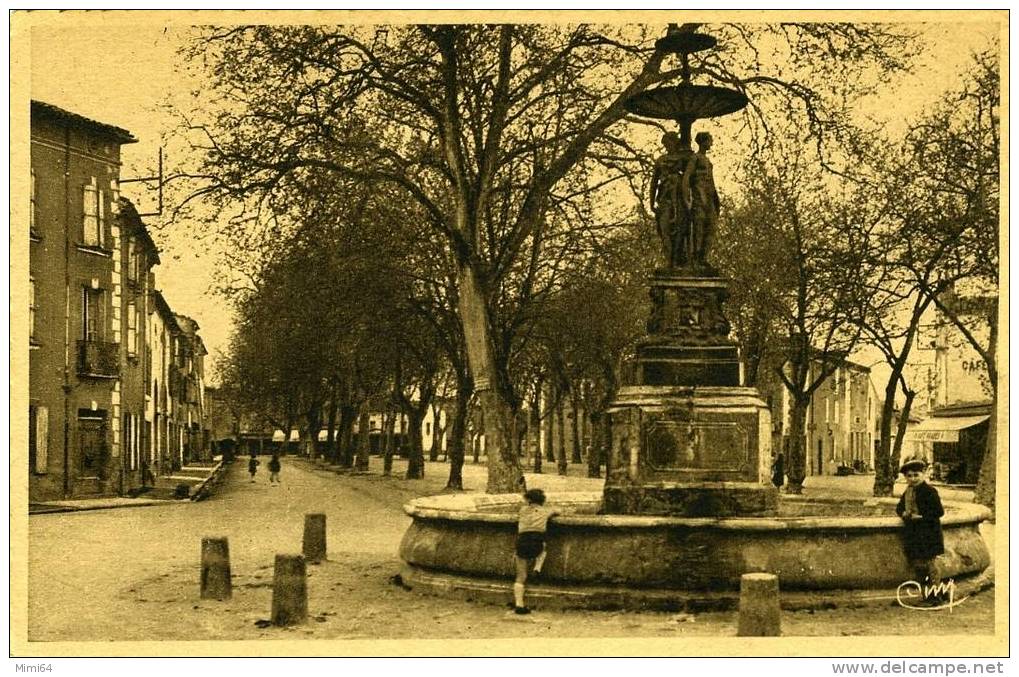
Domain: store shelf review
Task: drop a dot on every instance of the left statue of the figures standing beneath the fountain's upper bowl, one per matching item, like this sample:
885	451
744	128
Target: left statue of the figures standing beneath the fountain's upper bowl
672	217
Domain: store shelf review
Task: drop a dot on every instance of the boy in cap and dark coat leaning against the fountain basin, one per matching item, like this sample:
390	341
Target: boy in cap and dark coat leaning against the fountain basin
921	509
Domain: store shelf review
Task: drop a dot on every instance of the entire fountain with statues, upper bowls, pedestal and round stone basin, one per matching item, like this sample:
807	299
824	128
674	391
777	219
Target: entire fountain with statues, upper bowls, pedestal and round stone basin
687	506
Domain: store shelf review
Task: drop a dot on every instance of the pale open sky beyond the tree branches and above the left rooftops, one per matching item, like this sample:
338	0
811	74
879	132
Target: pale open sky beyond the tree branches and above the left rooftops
120	70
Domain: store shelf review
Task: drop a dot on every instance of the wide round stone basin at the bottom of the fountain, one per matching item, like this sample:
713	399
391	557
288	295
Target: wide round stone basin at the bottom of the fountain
826	553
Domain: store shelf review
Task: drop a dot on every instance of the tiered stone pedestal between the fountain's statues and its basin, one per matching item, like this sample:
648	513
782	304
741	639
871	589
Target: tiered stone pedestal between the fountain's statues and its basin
688	441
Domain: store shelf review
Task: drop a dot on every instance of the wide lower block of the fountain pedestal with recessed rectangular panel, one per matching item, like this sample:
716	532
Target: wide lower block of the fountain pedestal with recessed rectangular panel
691	452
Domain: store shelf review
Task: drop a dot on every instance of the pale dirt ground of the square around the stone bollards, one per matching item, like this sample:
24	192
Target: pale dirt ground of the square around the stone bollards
137	572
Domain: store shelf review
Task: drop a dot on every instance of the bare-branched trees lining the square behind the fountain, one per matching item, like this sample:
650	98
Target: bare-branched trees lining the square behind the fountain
417	209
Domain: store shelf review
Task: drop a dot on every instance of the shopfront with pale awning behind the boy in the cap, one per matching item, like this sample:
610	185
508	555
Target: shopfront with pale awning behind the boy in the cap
954	440
